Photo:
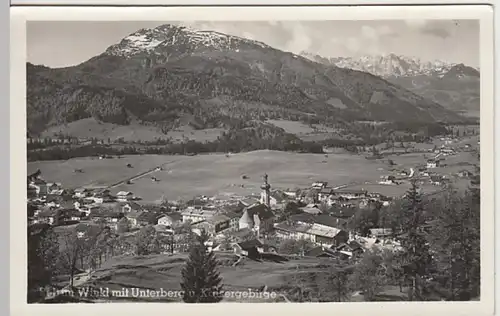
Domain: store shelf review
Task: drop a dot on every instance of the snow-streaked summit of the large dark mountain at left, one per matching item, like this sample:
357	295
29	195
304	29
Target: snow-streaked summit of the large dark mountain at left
162	37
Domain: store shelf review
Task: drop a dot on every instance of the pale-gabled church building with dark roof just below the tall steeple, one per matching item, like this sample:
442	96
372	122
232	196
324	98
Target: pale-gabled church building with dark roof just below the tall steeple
258	217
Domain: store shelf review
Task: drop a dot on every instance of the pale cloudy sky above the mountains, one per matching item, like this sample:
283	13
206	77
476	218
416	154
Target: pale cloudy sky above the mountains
67	43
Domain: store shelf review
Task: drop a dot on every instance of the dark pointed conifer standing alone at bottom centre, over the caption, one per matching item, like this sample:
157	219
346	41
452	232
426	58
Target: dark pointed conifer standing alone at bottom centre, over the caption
201	282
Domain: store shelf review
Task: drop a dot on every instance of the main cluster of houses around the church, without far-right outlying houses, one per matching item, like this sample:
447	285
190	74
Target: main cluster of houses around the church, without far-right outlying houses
256	216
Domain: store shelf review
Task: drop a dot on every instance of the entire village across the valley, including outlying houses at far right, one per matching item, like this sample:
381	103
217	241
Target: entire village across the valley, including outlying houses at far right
318	214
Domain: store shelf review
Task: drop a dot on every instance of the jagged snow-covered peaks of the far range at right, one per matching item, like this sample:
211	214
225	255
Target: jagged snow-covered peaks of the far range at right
388	65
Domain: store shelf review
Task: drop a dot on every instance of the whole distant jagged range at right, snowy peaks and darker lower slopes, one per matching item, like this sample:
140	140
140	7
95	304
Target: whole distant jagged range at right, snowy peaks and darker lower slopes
455	86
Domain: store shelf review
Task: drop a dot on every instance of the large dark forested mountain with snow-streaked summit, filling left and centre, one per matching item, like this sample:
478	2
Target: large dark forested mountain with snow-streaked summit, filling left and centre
171	76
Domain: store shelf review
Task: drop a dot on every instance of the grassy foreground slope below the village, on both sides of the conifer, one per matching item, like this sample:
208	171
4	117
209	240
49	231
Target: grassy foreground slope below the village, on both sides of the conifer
157	272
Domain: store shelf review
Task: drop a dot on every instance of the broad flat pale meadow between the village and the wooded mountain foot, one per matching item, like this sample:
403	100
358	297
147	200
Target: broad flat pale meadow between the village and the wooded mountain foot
188	176
